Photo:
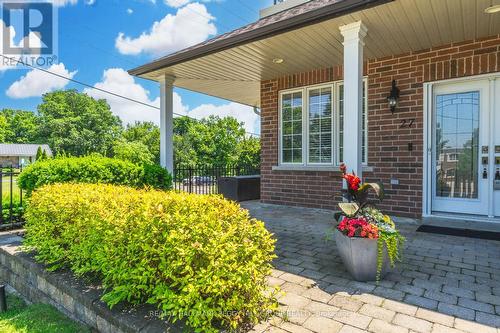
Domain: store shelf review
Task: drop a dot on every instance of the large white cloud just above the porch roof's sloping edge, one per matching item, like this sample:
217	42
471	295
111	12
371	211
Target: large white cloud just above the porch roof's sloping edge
191	24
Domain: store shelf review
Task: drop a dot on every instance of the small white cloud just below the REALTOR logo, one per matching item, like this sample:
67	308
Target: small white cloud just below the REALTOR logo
36	83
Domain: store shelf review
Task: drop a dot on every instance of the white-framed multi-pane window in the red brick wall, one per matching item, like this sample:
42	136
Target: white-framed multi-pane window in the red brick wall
311	125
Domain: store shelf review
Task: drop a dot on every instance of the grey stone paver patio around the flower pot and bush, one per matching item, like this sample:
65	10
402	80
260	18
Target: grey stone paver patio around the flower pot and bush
445	284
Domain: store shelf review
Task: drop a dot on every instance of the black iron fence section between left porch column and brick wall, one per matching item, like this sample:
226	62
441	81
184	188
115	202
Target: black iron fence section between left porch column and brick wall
203	179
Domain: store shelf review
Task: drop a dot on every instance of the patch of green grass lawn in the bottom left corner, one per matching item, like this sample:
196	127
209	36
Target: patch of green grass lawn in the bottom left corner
35	318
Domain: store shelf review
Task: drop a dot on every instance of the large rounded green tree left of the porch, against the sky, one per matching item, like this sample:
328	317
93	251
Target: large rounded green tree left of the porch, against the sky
77	124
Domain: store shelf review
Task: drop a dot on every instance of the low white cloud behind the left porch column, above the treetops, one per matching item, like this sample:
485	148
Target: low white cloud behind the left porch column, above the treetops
118	81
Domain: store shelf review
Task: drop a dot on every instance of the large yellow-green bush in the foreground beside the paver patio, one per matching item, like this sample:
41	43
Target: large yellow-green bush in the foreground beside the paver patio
201	258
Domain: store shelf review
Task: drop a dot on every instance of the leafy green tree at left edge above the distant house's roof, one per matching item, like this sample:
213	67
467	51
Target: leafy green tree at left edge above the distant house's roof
20	127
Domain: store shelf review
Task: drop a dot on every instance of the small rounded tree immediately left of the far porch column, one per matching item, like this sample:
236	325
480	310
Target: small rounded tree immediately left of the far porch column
146	133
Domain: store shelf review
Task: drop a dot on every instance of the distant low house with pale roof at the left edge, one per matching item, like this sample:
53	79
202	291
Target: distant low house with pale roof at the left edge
20	154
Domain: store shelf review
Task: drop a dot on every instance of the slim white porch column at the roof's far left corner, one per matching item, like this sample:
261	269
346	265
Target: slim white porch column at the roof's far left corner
167	123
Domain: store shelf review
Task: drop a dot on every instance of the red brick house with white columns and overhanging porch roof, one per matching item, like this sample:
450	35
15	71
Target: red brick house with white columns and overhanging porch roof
321	72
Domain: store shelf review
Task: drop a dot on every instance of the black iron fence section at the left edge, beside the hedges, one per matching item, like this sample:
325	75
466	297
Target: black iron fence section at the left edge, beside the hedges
11	198
